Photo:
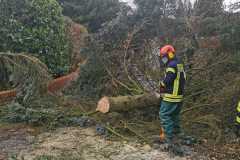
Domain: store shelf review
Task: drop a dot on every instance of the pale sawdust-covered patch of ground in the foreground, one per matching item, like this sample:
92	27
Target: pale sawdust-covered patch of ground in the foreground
84	144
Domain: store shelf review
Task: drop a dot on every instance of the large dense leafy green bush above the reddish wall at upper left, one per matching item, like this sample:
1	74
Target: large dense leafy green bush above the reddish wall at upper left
35	27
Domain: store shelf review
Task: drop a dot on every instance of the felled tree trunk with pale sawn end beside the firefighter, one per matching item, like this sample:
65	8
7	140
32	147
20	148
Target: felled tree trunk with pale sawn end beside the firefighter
126	103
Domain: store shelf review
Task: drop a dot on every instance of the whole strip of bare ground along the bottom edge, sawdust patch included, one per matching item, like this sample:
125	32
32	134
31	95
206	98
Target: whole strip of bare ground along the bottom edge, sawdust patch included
75	143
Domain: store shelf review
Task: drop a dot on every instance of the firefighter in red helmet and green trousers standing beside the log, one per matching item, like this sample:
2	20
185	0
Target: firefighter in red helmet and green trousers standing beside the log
172	91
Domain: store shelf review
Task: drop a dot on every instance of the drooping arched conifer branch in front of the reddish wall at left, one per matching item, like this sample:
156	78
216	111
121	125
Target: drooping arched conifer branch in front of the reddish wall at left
29	76
